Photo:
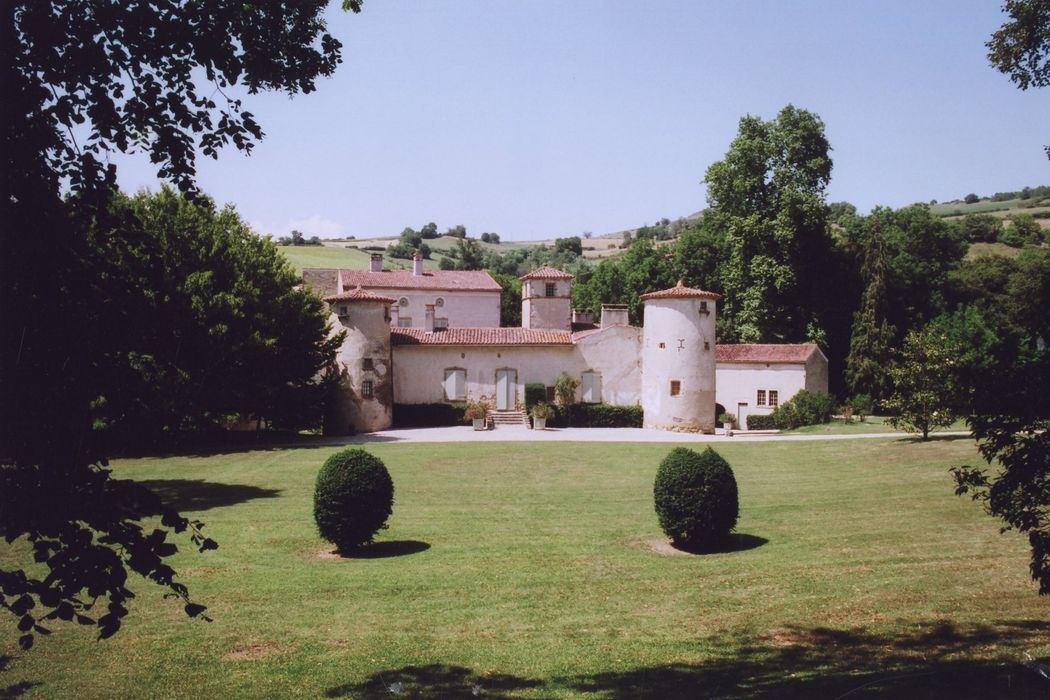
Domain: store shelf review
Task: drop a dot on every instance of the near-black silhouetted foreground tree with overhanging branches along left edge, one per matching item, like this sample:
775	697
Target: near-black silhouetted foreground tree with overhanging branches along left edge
79	80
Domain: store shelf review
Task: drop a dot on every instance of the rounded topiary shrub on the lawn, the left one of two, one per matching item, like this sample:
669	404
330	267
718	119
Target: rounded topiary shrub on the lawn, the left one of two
353	499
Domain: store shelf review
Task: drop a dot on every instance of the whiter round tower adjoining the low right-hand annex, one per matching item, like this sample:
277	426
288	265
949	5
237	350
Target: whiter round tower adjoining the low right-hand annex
679	360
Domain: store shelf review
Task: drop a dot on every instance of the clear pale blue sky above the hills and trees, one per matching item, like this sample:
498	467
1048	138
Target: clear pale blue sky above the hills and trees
544	119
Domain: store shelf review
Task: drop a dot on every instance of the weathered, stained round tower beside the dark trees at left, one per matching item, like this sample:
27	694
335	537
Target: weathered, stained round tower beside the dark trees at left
366	395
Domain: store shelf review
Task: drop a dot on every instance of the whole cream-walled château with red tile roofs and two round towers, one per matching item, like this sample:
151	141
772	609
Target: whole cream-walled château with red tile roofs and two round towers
419	336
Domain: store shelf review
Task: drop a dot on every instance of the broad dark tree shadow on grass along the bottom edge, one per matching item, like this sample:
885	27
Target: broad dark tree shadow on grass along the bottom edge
936	660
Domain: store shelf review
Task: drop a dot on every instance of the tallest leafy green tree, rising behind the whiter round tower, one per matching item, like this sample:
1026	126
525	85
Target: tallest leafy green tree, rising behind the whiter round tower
768	195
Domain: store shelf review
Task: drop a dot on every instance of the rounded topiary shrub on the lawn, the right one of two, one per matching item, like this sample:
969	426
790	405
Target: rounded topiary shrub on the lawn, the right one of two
697	499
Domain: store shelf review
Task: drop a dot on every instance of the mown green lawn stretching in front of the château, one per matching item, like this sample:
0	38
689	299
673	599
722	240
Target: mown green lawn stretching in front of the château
526	570
